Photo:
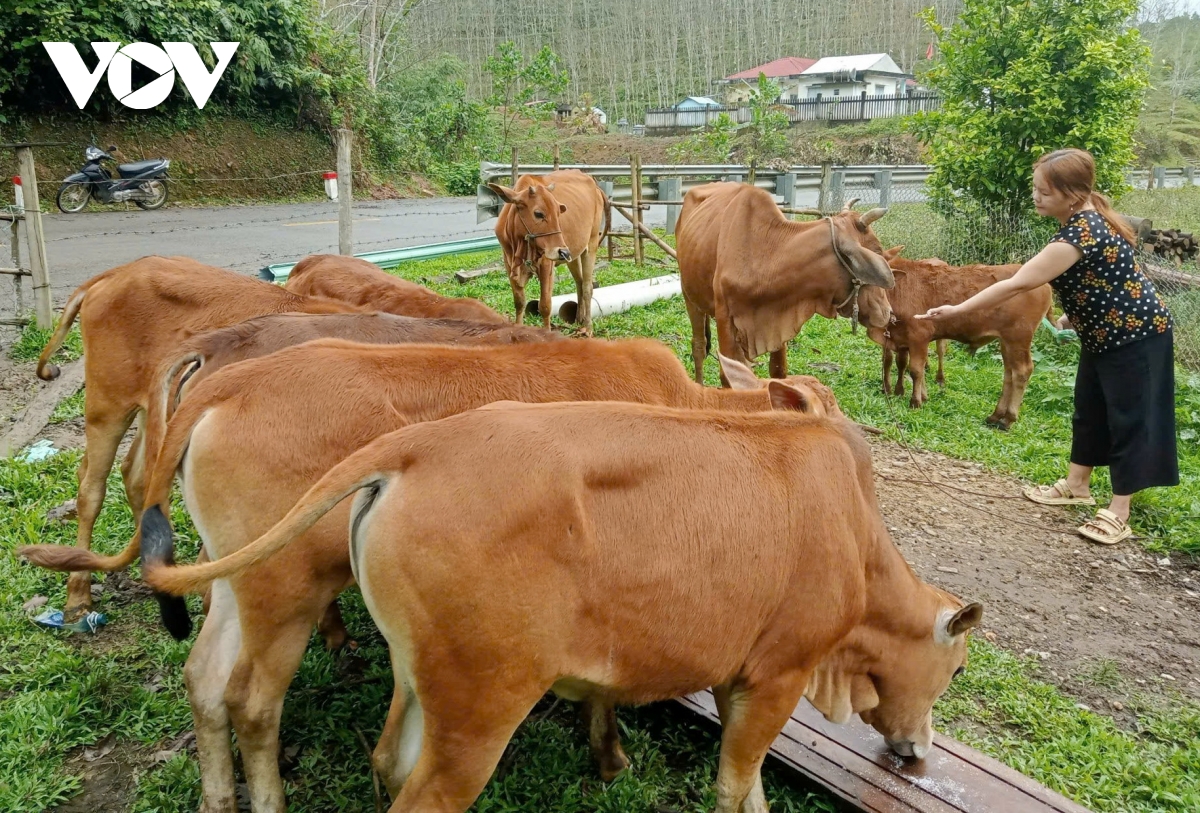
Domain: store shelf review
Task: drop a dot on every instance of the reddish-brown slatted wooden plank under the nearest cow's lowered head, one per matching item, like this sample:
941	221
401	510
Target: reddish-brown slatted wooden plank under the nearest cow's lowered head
854	762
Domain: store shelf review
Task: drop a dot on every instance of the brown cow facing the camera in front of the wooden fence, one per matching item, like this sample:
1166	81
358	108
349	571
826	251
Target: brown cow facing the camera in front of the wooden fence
548	221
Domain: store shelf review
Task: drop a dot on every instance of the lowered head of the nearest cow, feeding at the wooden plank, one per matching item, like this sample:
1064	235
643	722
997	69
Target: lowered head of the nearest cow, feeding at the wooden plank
892	671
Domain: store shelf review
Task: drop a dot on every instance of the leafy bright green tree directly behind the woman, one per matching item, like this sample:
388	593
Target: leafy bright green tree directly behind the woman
1021	80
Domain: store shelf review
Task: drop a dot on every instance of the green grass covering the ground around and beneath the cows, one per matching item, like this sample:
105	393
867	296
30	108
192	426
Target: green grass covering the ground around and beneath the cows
61	694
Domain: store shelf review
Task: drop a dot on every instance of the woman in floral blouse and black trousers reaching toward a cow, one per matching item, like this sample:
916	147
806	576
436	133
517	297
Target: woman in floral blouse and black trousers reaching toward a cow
1125	390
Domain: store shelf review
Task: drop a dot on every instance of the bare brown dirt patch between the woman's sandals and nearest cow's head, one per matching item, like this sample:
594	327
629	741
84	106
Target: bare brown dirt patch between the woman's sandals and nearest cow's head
1048	593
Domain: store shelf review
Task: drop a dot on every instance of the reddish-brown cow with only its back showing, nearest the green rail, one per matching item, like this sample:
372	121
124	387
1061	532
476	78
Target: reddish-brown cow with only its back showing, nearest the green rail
367	286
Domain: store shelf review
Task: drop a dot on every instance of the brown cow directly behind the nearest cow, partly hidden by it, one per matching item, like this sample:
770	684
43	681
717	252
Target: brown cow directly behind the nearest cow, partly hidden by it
259	433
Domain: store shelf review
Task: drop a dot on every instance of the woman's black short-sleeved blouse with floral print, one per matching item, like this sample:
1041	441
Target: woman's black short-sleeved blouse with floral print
1109	300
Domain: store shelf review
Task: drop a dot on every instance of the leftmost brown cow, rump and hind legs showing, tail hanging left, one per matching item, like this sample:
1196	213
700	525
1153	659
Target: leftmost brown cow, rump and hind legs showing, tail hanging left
134	318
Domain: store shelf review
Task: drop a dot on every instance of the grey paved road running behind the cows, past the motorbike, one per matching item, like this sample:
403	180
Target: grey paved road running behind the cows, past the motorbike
248	238
